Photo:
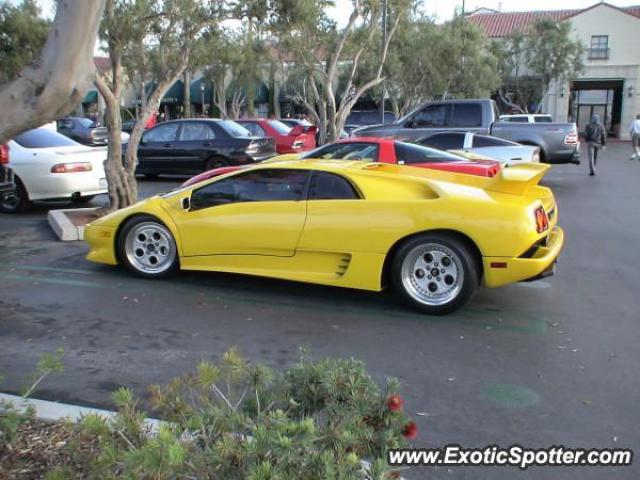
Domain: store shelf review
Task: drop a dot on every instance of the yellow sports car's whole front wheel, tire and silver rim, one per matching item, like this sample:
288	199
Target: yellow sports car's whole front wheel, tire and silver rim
147	247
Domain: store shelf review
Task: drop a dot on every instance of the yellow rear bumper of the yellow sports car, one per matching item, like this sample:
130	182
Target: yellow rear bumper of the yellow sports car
500	271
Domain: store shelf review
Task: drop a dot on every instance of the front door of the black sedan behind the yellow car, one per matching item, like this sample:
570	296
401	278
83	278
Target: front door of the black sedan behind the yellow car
157	150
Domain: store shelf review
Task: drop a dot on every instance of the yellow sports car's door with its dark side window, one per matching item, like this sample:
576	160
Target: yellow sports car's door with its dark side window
260	212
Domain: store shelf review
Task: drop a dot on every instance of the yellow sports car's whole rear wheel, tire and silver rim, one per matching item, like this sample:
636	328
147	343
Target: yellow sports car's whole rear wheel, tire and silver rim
436	273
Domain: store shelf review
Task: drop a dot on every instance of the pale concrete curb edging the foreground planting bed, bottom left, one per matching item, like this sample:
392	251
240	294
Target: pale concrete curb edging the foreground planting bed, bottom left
56	412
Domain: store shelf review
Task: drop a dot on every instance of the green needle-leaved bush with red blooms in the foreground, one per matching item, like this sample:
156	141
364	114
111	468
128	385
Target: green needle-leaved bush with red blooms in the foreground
232	420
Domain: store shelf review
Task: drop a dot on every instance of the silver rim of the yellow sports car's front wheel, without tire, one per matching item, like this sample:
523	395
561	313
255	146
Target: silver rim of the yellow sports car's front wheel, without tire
149	248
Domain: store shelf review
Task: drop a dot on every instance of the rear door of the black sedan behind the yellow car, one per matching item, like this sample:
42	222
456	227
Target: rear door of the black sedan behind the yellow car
196	140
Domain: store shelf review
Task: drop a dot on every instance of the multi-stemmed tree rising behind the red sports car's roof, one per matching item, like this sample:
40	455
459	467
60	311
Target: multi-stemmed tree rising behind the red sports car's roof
329	58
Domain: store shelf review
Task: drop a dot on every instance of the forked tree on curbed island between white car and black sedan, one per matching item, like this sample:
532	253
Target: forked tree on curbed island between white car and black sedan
164	33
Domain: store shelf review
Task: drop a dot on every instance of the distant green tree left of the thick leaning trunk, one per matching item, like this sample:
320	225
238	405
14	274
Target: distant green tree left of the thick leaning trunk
22	36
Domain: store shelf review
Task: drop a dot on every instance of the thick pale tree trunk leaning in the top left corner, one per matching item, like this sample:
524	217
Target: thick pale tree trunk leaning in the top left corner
54	86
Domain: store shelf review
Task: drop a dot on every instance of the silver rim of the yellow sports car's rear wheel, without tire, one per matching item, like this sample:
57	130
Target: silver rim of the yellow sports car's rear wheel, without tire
432	274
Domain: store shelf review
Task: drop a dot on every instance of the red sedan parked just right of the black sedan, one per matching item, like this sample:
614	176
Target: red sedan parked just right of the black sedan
288	140
